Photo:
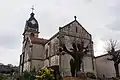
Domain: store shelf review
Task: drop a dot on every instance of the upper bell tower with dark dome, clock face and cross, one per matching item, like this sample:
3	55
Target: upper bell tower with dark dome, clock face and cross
31	27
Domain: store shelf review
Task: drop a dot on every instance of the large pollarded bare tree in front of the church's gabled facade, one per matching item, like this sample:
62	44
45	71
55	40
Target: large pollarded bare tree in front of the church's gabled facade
77	51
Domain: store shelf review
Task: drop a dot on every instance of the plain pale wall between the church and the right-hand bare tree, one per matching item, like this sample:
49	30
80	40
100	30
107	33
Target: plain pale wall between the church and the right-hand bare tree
105	67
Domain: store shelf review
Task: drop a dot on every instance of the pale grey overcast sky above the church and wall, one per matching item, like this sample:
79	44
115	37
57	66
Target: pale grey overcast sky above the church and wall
101	18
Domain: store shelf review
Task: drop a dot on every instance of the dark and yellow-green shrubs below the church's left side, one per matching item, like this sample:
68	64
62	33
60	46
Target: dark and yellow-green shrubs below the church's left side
44	74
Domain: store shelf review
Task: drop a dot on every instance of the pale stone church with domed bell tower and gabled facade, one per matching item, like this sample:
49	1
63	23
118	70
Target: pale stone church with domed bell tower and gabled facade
39	53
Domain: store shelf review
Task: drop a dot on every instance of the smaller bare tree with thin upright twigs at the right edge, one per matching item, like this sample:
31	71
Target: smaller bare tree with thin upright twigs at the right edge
114	53
